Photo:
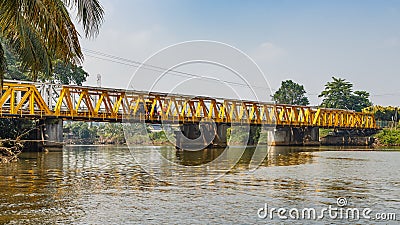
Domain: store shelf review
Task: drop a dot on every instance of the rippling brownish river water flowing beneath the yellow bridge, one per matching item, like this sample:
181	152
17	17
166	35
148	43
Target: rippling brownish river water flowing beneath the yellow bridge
105	185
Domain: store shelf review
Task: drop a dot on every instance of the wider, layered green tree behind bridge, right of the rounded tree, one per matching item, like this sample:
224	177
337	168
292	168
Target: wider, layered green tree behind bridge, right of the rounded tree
339	94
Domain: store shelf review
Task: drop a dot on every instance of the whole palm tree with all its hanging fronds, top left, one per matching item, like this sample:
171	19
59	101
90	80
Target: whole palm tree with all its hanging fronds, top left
39	31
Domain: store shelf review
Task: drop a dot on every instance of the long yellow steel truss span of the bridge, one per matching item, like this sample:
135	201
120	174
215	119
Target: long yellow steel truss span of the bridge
99	104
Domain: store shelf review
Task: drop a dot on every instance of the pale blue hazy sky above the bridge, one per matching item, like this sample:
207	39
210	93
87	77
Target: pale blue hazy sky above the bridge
306	41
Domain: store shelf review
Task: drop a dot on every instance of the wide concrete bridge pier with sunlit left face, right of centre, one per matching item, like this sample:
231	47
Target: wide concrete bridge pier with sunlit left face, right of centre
294	136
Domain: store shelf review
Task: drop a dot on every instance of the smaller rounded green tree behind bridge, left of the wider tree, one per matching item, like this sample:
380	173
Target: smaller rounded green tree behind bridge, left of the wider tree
290	93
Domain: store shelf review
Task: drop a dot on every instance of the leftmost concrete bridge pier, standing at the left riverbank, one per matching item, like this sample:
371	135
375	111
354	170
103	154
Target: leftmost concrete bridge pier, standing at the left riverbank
51	134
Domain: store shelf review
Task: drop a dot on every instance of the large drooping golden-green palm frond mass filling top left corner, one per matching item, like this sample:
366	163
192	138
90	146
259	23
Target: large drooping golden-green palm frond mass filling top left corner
47	21
